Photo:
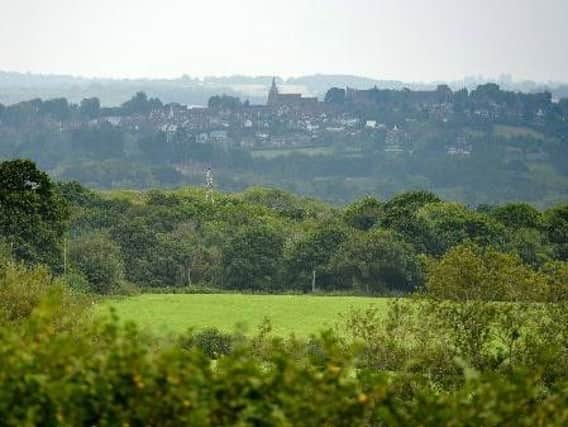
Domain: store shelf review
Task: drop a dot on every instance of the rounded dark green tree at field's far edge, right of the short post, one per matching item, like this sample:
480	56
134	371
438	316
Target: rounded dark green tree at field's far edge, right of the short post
377	261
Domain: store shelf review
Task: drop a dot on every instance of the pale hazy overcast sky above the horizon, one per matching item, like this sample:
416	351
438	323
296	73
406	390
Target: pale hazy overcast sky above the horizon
409	40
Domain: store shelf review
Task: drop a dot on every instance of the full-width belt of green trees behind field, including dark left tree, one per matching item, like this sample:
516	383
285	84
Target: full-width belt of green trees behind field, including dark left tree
266	240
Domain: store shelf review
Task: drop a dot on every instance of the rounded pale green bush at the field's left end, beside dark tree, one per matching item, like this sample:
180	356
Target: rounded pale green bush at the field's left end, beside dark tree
99	259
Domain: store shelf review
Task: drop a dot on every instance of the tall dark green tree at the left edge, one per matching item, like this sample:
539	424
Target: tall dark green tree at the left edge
33	216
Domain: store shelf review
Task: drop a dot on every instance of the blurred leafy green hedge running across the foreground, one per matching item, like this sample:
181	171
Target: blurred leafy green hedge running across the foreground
111	375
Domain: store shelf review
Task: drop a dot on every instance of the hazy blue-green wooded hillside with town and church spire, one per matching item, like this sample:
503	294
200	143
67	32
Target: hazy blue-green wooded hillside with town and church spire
350	142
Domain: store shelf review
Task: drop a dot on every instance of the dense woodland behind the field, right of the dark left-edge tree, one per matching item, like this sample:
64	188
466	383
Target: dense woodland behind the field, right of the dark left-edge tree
179	239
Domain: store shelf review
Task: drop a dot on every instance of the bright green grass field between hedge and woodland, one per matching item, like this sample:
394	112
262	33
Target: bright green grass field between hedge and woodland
297	314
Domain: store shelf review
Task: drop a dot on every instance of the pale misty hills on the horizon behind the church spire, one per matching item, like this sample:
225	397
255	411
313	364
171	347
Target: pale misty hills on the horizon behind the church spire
16	87
